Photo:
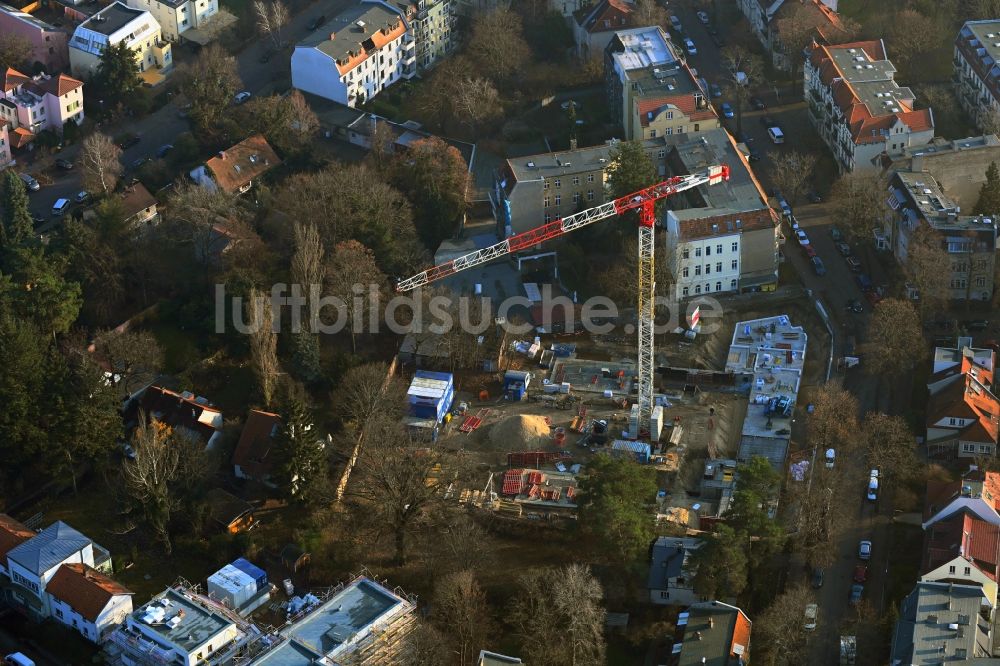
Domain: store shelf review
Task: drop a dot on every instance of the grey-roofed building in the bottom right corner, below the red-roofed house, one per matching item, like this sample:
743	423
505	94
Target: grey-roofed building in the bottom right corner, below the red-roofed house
944	623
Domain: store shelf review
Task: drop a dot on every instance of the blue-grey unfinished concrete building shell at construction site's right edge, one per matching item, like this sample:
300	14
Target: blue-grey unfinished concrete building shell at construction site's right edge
774	351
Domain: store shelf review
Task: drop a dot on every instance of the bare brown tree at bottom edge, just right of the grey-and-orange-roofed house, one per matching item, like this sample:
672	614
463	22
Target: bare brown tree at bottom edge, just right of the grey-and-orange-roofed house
779	629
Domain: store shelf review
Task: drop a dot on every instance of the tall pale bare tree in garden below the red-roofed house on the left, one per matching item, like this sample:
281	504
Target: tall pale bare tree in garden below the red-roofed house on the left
149	475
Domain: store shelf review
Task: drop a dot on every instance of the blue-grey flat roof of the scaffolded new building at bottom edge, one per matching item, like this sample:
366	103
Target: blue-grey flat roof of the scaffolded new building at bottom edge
347	616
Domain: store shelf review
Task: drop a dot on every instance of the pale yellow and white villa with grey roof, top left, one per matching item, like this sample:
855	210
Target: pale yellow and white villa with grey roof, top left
114	24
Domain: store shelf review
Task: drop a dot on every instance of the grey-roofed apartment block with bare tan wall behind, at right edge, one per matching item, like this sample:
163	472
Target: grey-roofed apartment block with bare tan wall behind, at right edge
919	202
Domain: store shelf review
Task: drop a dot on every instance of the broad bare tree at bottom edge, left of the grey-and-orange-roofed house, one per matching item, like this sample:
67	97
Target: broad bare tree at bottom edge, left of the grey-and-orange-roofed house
564	602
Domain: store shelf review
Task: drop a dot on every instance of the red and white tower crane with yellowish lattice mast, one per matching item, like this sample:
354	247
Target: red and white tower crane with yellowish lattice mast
643	201
